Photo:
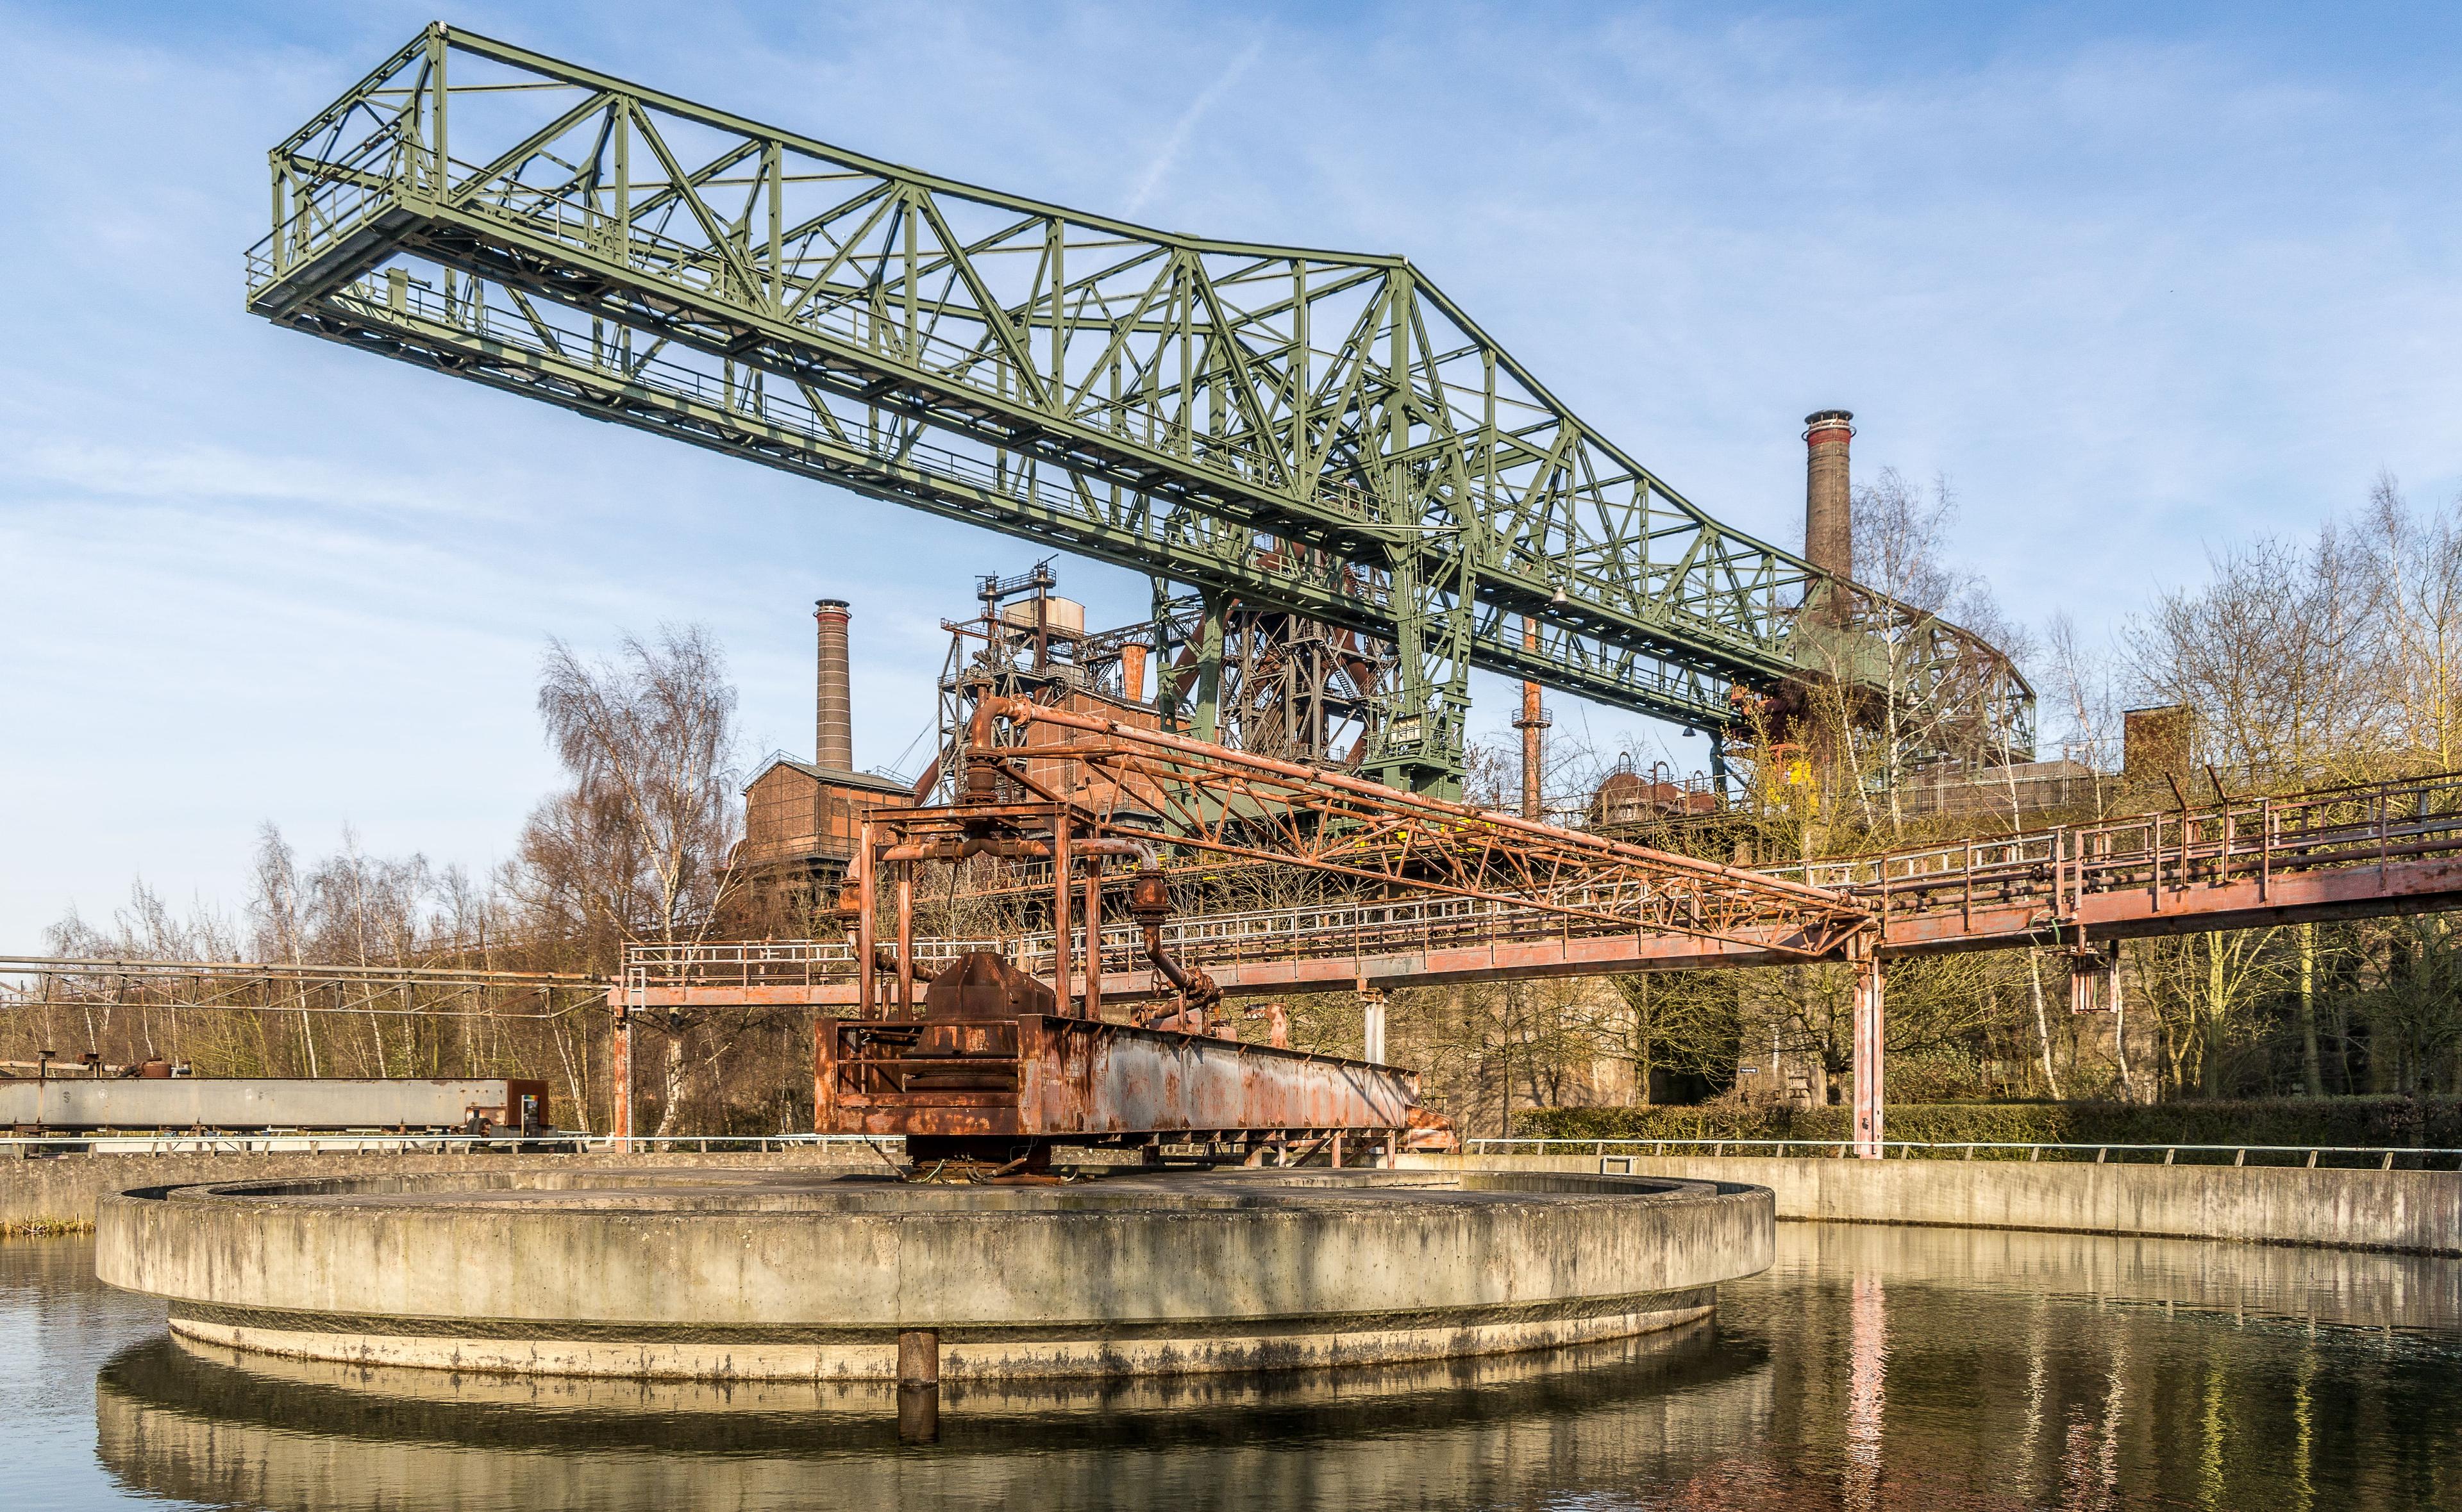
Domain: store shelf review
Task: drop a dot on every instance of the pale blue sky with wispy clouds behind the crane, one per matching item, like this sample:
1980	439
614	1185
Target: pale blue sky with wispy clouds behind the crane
2136	279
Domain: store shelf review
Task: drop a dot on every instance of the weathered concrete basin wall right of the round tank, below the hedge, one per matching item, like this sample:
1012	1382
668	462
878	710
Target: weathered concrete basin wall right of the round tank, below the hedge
2399	1210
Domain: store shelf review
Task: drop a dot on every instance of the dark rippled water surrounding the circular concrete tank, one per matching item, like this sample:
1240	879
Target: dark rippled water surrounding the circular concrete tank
1872	1368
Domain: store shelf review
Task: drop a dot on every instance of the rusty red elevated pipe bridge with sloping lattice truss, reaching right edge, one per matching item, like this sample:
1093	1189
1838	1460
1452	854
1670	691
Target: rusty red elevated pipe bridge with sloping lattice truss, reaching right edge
1579	907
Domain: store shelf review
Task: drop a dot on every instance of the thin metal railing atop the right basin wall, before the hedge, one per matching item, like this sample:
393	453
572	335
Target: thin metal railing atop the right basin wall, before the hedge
2089	1154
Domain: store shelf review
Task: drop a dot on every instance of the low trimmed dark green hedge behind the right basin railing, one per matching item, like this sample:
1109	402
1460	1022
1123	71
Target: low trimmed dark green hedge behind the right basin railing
2284	1122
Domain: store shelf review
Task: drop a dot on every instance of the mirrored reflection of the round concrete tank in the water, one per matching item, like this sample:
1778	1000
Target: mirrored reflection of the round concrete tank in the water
223	1427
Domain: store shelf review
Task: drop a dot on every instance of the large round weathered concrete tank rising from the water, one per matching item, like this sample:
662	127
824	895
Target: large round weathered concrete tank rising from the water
811	1277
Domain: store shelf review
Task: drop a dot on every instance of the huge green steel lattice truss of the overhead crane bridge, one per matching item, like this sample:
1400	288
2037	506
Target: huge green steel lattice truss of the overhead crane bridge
1306	430
